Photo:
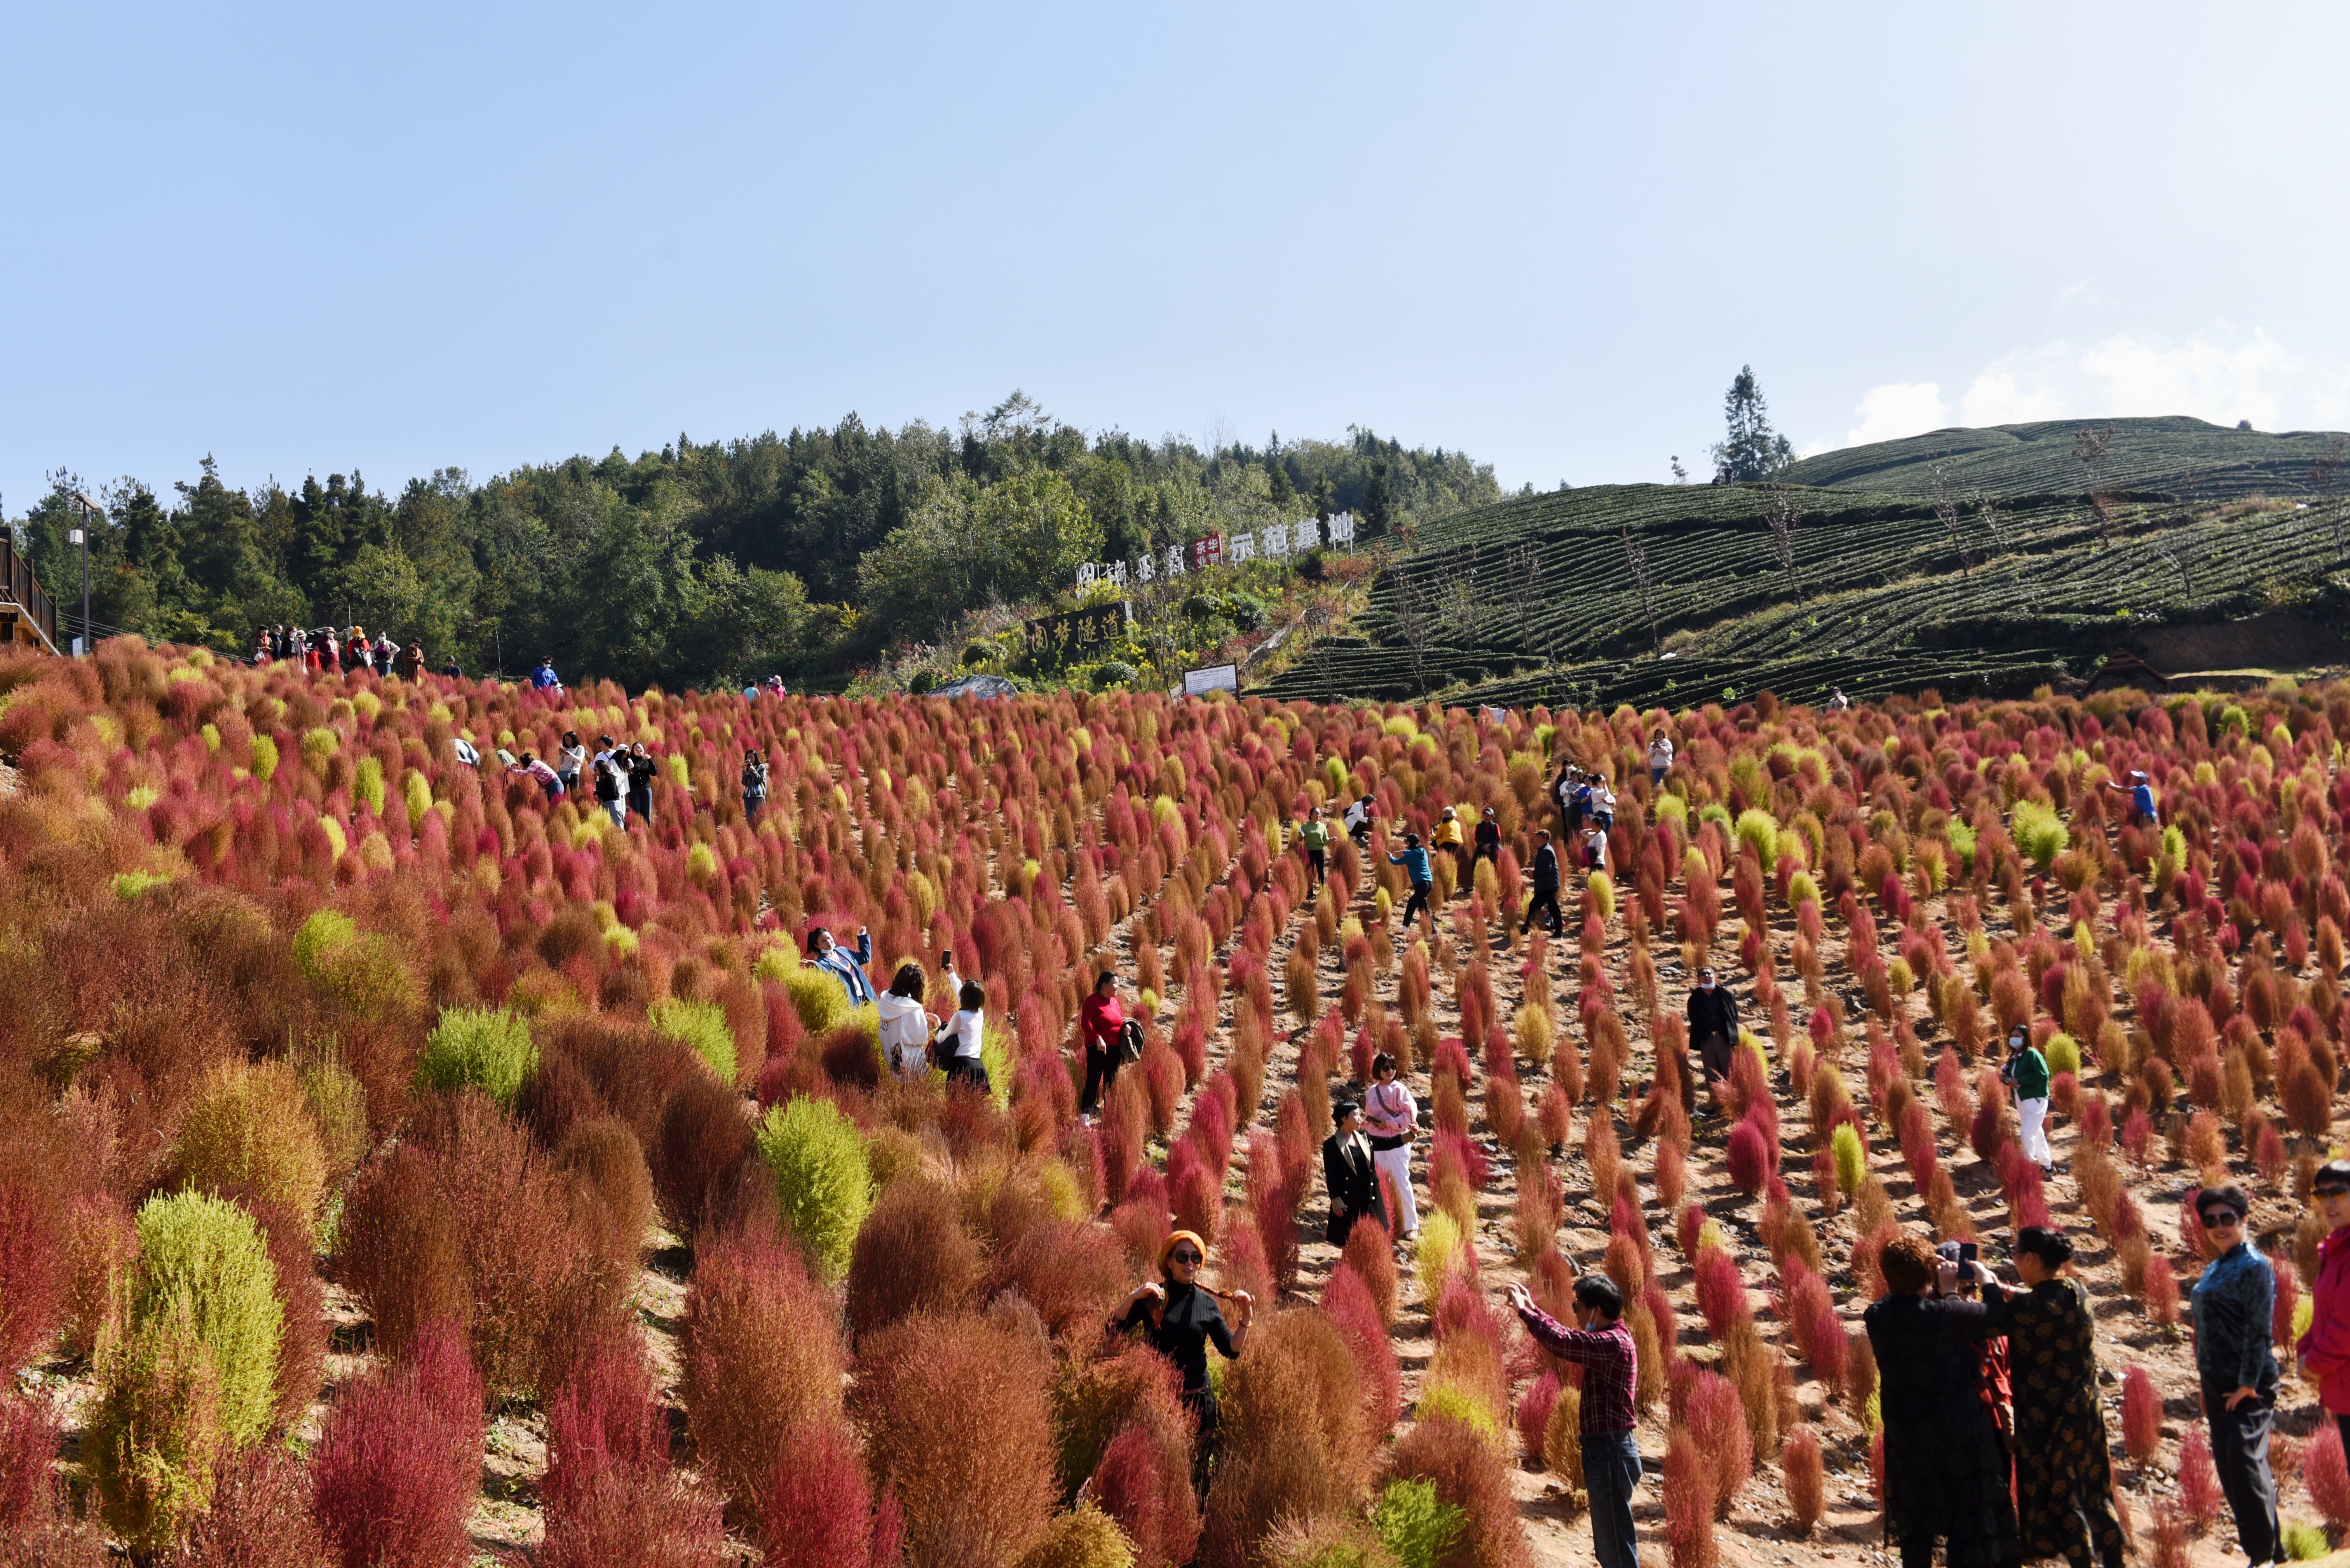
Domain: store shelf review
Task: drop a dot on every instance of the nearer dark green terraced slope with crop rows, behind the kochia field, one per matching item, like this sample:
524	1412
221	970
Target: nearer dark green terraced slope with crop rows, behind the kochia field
1533	601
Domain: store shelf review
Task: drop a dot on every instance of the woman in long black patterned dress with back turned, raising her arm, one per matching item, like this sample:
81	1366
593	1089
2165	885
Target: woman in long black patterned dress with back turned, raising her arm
2064	1480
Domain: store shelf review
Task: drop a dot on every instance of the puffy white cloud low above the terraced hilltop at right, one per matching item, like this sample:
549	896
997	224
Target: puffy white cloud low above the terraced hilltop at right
2217	375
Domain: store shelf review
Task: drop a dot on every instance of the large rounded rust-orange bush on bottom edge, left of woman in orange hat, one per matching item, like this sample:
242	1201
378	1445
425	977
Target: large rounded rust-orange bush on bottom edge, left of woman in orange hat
976	1501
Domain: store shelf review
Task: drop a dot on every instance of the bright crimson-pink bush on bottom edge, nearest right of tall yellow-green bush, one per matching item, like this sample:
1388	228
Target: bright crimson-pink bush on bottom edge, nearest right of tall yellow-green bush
401	1456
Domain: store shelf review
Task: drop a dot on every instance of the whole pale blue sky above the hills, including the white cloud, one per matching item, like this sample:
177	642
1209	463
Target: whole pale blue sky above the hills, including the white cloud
398	239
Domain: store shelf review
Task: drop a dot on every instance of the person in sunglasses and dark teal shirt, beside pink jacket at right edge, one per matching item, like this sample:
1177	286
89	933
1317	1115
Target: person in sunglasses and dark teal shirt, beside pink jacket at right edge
2234	1301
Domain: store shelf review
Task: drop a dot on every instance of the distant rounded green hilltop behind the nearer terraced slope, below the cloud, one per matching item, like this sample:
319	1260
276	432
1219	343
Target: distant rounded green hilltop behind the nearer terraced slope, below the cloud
2177	457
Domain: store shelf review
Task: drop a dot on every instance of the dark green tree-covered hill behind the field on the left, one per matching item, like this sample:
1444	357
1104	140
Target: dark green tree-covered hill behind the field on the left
706	561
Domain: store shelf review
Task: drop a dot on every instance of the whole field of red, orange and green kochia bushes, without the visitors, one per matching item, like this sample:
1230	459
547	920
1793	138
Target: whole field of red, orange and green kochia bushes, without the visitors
403	1170
